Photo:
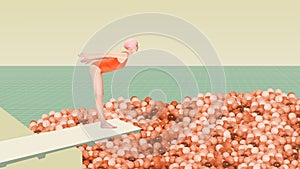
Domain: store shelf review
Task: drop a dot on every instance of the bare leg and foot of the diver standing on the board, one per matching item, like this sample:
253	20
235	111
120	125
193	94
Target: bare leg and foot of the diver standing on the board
98	91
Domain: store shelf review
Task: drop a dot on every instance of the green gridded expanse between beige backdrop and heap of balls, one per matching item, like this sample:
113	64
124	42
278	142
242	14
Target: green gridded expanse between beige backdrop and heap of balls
29	91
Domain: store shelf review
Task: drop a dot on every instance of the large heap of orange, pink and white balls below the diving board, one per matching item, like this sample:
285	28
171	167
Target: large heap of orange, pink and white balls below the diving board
259	129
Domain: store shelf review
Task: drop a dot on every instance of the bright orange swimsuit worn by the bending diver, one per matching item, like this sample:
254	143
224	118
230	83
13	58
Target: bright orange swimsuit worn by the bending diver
108	64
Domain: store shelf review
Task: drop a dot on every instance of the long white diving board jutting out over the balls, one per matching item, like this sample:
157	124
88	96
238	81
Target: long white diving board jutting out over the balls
38	145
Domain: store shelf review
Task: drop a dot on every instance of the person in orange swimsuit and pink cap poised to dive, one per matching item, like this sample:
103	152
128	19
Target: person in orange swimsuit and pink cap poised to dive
103	63
